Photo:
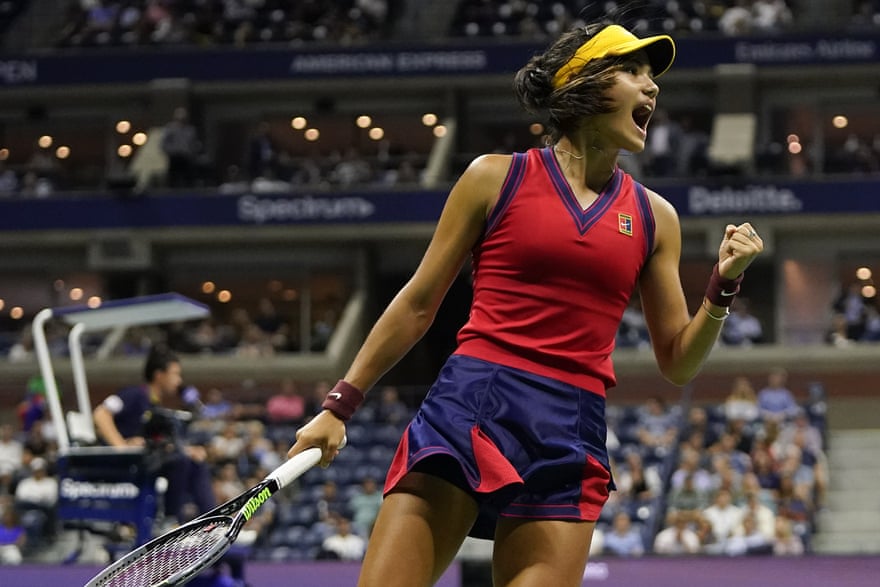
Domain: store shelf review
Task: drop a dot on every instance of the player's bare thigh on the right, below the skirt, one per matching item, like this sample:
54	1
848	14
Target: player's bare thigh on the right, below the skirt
539	553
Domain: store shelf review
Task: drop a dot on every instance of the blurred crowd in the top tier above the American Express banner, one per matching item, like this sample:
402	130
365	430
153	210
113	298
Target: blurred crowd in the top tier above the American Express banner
103	23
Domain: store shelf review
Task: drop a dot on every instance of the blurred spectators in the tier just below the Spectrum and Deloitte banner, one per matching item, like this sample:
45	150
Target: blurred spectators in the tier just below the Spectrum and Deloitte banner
266	329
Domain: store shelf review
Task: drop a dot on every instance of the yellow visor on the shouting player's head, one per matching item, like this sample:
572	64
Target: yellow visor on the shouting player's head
615	40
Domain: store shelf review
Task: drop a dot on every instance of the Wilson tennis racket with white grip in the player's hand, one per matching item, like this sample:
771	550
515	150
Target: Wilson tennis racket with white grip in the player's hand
180	554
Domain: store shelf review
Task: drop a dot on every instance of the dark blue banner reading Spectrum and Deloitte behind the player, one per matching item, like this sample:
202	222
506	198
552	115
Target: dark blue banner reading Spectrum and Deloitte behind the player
88	213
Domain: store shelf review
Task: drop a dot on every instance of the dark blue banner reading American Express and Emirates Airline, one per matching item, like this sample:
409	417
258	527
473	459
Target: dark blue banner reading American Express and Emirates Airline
229	64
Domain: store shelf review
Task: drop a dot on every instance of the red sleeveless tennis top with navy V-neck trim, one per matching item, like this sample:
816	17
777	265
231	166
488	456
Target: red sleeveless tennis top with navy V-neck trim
551	279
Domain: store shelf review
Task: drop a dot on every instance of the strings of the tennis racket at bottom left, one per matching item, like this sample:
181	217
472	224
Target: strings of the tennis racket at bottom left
180	552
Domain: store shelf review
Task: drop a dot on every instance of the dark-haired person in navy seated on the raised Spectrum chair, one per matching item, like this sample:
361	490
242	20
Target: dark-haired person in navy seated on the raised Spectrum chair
137	416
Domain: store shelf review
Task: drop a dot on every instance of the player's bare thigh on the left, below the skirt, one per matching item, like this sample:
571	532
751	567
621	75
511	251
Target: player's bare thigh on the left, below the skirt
418	532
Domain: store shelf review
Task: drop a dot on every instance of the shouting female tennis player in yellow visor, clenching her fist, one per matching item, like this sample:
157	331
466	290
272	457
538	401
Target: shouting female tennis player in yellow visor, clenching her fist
509	443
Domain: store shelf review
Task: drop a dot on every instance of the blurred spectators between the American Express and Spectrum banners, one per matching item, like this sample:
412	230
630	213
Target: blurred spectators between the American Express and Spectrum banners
677	147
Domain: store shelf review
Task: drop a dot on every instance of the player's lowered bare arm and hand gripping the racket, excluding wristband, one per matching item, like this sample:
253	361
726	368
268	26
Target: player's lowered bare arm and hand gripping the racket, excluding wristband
411	312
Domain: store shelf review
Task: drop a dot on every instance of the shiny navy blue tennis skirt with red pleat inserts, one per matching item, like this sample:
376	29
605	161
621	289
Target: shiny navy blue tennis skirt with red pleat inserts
522	445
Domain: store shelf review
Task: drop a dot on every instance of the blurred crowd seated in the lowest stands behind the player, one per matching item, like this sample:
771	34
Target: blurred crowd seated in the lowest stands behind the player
746	476
